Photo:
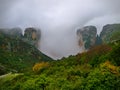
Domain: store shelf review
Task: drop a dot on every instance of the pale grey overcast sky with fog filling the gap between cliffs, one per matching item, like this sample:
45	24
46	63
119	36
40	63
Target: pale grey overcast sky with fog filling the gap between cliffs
58	20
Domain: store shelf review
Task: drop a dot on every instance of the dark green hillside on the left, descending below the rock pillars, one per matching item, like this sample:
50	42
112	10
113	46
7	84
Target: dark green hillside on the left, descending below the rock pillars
17	55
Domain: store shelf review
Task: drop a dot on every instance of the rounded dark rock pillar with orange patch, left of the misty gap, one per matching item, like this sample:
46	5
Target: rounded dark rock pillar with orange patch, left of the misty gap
32	36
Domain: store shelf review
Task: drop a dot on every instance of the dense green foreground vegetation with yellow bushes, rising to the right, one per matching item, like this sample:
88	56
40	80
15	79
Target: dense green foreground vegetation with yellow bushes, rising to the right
96	69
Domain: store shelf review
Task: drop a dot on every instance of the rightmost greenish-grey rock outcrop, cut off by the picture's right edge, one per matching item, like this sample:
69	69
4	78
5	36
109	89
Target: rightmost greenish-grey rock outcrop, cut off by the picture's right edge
109	32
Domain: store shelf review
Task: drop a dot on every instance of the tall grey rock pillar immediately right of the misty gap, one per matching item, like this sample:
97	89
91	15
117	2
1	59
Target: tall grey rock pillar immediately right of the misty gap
87	36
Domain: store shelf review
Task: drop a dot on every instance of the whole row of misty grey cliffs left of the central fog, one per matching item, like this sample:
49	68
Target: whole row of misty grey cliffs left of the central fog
31	35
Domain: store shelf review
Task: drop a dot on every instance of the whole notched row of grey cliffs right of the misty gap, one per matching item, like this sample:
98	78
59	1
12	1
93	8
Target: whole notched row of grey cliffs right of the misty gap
87	36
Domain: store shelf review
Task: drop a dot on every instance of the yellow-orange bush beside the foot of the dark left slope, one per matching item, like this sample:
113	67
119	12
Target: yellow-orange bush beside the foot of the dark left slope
39	66
